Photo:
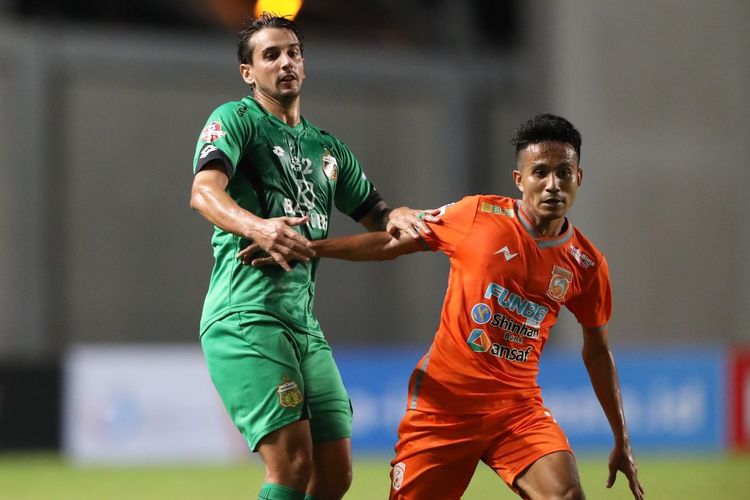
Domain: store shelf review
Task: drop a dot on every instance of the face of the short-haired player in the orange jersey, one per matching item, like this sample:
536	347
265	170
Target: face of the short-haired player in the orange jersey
548	177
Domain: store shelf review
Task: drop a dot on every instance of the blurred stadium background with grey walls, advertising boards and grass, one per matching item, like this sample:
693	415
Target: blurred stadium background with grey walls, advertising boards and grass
103	267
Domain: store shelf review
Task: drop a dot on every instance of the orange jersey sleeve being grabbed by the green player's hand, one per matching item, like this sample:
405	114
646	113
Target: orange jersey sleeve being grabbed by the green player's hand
455	222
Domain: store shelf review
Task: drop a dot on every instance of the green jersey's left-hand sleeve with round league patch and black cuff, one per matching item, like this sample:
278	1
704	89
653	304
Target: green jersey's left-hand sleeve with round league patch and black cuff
224	137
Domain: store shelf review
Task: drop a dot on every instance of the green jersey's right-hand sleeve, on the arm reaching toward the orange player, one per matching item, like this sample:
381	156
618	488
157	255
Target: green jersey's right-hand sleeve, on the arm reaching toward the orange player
355	194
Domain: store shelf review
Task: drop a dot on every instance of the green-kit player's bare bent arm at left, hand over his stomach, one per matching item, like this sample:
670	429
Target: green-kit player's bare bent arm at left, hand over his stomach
275	235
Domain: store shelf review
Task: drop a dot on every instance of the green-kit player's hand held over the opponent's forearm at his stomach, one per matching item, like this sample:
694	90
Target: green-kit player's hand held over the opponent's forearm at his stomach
280	241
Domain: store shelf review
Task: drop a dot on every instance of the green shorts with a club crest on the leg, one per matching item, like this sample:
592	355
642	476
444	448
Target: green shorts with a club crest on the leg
270	374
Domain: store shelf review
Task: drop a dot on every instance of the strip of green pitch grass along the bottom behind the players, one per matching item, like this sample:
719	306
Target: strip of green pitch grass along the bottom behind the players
47	477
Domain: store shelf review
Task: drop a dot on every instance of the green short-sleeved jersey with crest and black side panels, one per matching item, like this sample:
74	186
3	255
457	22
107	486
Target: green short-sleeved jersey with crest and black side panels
275	170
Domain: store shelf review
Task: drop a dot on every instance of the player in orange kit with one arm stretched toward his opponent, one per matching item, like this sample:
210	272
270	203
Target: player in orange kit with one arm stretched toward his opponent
474	395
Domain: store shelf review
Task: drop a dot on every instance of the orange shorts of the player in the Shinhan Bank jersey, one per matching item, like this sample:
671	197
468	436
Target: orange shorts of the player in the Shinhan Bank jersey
437	453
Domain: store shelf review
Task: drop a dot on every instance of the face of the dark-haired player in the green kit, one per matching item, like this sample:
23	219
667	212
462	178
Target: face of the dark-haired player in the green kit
278	67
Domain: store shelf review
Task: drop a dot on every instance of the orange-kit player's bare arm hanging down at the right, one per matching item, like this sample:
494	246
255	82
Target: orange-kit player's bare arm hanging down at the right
600	364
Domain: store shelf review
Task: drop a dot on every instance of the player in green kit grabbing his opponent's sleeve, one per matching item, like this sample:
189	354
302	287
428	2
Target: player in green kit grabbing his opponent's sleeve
266	175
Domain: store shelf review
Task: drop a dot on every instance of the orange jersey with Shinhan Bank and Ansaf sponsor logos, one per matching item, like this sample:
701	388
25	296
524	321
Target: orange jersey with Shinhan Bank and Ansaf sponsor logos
505	289
